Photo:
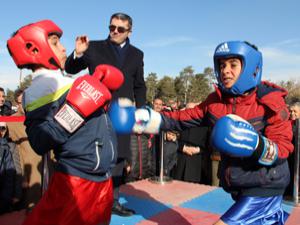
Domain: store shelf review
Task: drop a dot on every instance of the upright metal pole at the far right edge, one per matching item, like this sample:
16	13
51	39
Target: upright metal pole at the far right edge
296	164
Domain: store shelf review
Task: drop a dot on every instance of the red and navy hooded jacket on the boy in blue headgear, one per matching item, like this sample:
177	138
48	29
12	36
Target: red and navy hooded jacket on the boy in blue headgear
266	110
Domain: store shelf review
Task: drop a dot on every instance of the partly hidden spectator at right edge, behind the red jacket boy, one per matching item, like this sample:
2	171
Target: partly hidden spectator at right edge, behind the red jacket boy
294	115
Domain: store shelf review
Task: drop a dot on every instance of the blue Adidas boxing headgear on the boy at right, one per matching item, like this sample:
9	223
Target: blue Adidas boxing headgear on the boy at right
251	59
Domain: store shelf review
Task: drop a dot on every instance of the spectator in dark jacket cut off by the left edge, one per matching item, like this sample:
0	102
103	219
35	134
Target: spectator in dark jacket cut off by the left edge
7	171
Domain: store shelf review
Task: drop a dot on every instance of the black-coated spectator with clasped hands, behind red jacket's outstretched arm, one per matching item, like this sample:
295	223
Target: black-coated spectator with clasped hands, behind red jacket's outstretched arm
192	150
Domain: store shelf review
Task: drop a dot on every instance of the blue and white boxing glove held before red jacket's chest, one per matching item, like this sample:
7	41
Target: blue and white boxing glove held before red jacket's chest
234	136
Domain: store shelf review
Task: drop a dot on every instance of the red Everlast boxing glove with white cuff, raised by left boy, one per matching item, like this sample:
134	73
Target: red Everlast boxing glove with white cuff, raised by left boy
87	94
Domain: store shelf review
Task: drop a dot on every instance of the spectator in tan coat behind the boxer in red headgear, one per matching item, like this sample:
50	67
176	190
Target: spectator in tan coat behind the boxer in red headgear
29	159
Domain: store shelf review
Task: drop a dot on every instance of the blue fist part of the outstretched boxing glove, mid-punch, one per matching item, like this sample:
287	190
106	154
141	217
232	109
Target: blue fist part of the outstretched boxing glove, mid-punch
121	113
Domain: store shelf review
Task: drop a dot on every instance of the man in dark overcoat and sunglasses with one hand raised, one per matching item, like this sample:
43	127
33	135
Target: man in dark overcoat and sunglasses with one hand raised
117	51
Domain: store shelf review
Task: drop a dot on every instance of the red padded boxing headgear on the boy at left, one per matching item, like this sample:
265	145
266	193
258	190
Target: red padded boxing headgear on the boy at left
29	45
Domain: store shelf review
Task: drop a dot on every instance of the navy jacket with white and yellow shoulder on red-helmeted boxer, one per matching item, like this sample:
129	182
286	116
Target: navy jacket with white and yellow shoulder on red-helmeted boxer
90	152
